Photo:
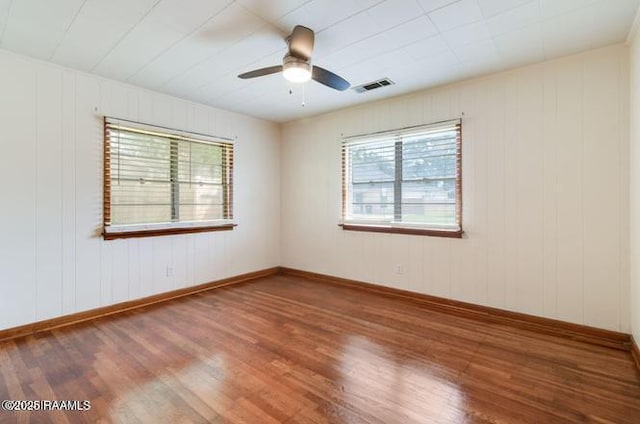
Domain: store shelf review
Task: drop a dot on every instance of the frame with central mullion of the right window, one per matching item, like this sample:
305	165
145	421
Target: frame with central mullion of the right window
396	227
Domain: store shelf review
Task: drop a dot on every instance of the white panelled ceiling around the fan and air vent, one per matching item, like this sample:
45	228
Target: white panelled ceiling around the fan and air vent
194	49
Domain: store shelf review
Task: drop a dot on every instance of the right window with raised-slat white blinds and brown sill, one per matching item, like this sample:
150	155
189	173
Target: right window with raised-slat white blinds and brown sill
404	181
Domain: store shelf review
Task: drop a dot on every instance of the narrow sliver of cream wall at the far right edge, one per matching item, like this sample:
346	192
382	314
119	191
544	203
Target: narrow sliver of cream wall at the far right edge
635	183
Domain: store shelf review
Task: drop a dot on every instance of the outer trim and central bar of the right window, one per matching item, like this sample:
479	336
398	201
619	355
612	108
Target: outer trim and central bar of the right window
398	227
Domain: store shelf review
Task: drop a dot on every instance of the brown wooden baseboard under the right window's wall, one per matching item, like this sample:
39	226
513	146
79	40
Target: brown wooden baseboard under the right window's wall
592	335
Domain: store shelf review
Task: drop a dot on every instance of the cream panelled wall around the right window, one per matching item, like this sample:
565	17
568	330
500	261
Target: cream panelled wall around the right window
545	193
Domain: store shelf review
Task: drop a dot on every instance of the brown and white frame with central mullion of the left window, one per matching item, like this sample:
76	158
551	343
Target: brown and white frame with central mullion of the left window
119	231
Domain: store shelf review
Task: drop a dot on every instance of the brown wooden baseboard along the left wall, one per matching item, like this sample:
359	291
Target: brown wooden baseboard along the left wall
65	320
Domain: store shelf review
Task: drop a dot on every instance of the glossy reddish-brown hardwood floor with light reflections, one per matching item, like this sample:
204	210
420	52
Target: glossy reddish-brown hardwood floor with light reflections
288	350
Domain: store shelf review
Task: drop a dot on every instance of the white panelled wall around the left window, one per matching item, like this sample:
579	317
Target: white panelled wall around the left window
52	258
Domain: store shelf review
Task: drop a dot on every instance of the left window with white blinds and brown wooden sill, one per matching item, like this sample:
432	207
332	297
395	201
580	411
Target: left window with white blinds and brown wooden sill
159	181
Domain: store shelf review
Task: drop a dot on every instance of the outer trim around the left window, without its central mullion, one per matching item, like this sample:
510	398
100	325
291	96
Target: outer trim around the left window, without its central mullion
121	231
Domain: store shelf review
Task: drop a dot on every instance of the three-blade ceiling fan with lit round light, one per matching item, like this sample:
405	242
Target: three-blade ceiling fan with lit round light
296	64
